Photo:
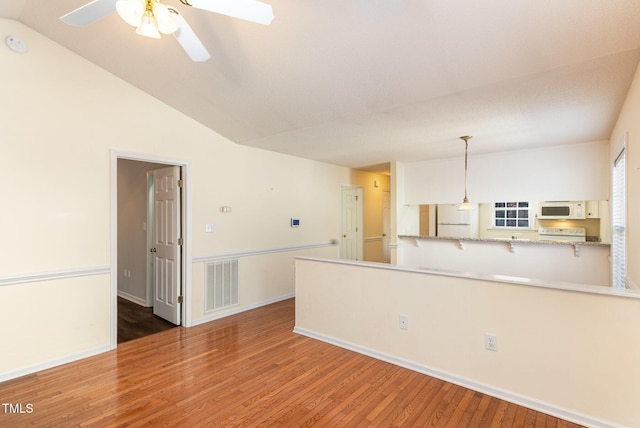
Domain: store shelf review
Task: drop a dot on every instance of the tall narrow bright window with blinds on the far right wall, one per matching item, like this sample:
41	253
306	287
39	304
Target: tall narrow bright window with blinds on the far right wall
618	244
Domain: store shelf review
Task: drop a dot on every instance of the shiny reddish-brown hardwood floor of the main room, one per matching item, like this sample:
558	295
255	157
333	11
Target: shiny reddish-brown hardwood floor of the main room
248	370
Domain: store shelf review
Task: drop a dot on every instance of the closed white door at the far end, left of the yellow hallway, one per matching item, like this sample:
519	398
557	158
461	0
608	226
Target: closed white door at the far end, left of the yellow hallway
351	243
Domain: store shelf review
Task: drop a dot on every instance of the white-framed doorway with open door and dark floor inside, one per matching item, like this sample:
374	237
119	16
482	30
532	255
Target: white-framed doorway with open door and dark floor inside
142	276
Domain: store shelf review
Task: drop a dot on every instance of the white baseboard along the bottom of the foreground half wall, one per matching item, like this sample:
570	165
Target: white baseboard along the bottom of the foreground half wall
540	406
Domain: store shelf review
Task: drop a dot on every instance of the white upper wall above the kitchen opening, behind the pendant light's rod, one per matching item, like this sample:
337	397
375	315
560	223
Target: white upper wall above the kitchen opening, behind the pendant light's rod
572	172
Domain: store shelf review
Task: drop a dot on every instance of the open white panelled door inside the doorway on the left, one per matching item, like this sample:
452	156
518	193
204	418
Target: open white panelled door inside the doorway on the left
167	248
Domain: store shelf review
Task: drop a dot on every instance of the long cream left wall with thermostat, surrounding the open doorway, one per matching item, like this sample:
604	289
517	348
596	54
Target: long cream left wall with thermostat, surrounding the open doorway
60	120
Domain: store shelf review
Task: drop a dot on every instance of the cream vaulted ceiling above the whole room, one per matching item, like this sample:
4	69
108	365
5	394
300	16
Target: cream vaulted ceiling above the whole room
363	82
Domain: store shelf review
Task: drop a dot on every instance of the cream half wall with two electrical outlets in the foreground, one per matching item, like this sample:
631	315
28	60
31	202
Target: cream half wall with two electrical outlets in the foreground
571	354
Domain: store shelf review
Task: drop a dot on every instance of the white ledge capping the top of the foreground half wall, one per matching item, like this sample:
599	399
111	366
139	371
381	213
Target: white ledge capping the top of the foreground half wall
507	279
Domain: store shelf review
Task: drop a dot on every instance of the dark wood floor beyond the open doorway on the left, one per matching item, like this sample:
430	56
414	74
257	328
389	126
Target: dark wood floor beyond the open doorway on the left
136	321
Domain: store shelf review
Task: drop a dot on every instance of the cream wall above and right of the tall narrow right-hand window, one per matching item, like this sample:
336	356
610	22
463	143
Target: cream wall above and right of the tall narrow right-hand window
628	123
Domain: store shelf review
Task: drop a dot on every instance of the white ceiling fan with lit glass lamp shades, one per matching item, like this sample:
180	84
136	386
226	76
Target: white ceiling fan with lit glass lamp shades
152	17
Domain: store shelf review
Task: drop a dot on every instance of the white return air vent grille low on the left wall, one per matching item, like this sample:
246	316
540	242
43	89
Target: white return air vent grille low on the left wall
221	284
